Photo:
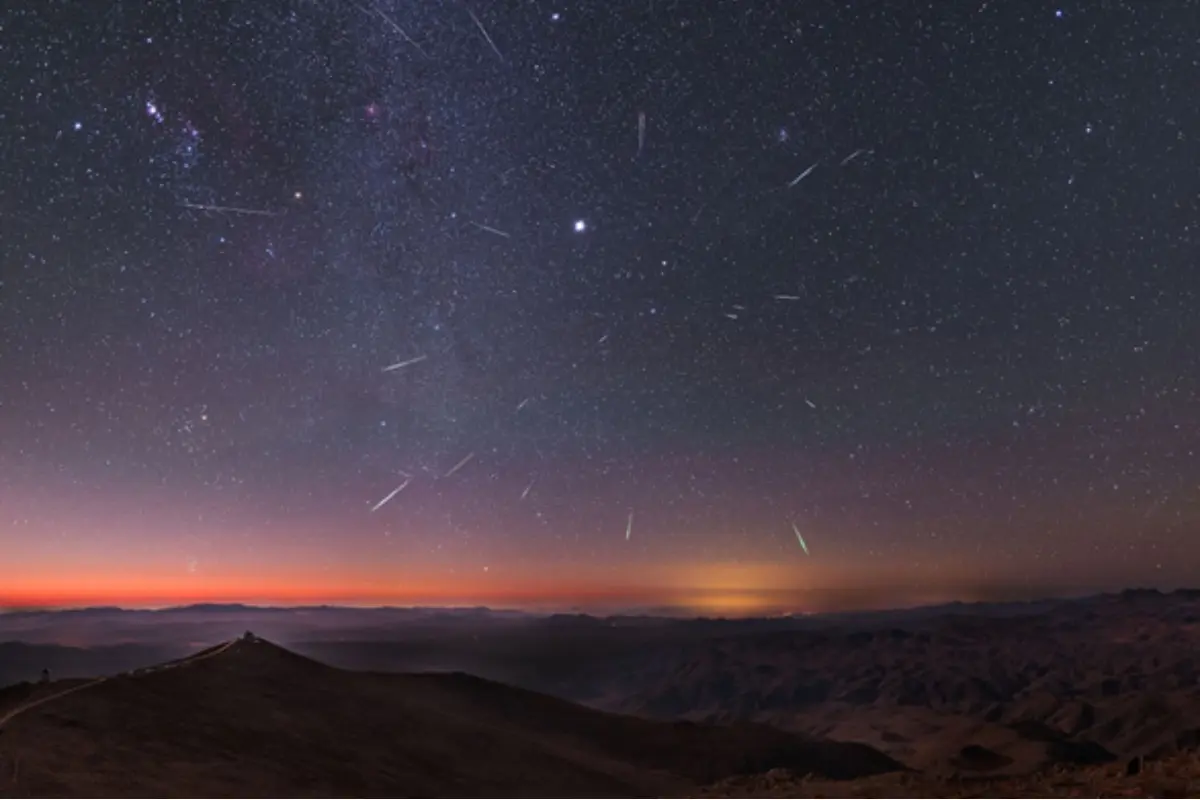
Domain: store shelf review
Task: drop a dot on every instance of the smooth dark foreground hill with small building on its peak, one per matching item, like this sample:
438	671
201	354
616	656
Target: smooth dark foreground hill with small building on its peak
251	719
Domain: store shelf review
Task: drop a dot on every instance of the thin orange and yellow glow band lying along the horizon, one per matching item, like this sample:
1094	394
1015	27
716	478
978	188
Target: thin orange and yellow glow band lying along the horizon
705	590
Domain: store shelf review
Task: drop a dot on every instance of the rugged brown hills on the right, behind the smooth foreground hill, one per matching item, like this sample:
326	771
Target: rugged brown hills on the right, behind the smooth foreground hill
1060	684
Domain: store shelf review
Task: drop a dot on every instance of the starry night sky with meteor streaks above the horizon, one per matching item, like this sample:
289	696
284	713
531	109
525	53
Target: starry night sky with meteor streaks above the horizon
628	296
